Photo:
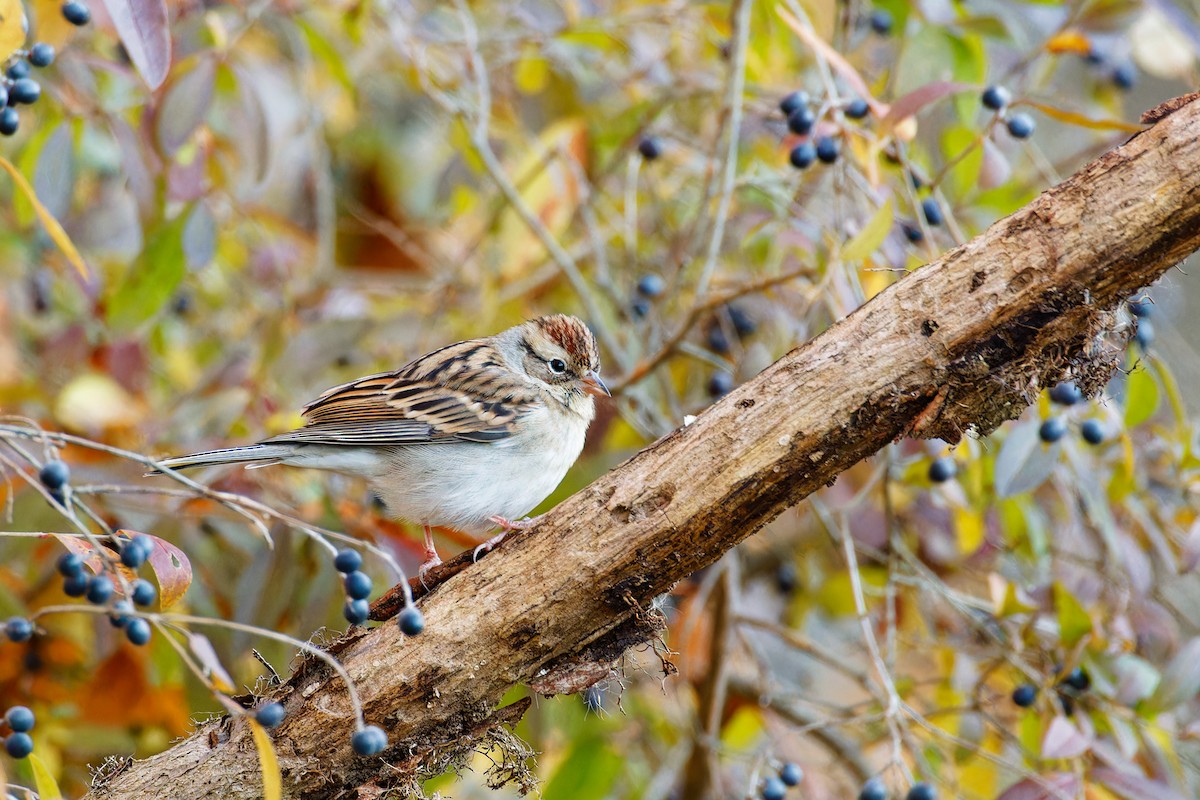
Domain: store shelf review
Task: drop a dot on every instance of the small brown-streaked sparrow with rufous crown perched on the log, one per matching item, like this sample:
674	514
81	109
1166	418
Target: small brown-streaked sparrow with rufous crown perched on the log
472	436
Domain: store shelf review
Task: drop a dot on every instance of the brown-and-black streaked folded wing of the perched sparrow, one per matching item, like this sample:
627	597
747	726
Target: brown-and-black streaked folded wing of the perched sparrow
460	393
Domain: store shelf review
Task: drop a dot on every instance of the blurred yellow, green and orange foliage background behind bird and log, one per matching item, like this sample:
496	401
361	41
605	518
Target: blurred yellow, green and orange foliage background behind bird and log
326	190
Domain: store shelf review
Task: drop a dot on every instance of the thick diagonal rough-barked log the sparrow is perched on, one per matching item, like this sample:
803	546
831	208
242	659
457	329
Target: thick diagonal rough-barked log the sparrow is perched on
965	342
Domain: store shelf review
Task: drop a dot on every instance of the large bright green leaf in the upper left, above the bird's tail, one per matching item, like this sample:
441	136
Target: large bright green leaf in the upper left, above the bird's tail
153	281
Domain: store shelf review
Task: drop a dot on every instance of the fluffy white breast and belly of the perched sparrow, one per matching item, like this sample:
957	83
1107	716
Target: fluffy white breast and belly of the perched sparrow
461	485
